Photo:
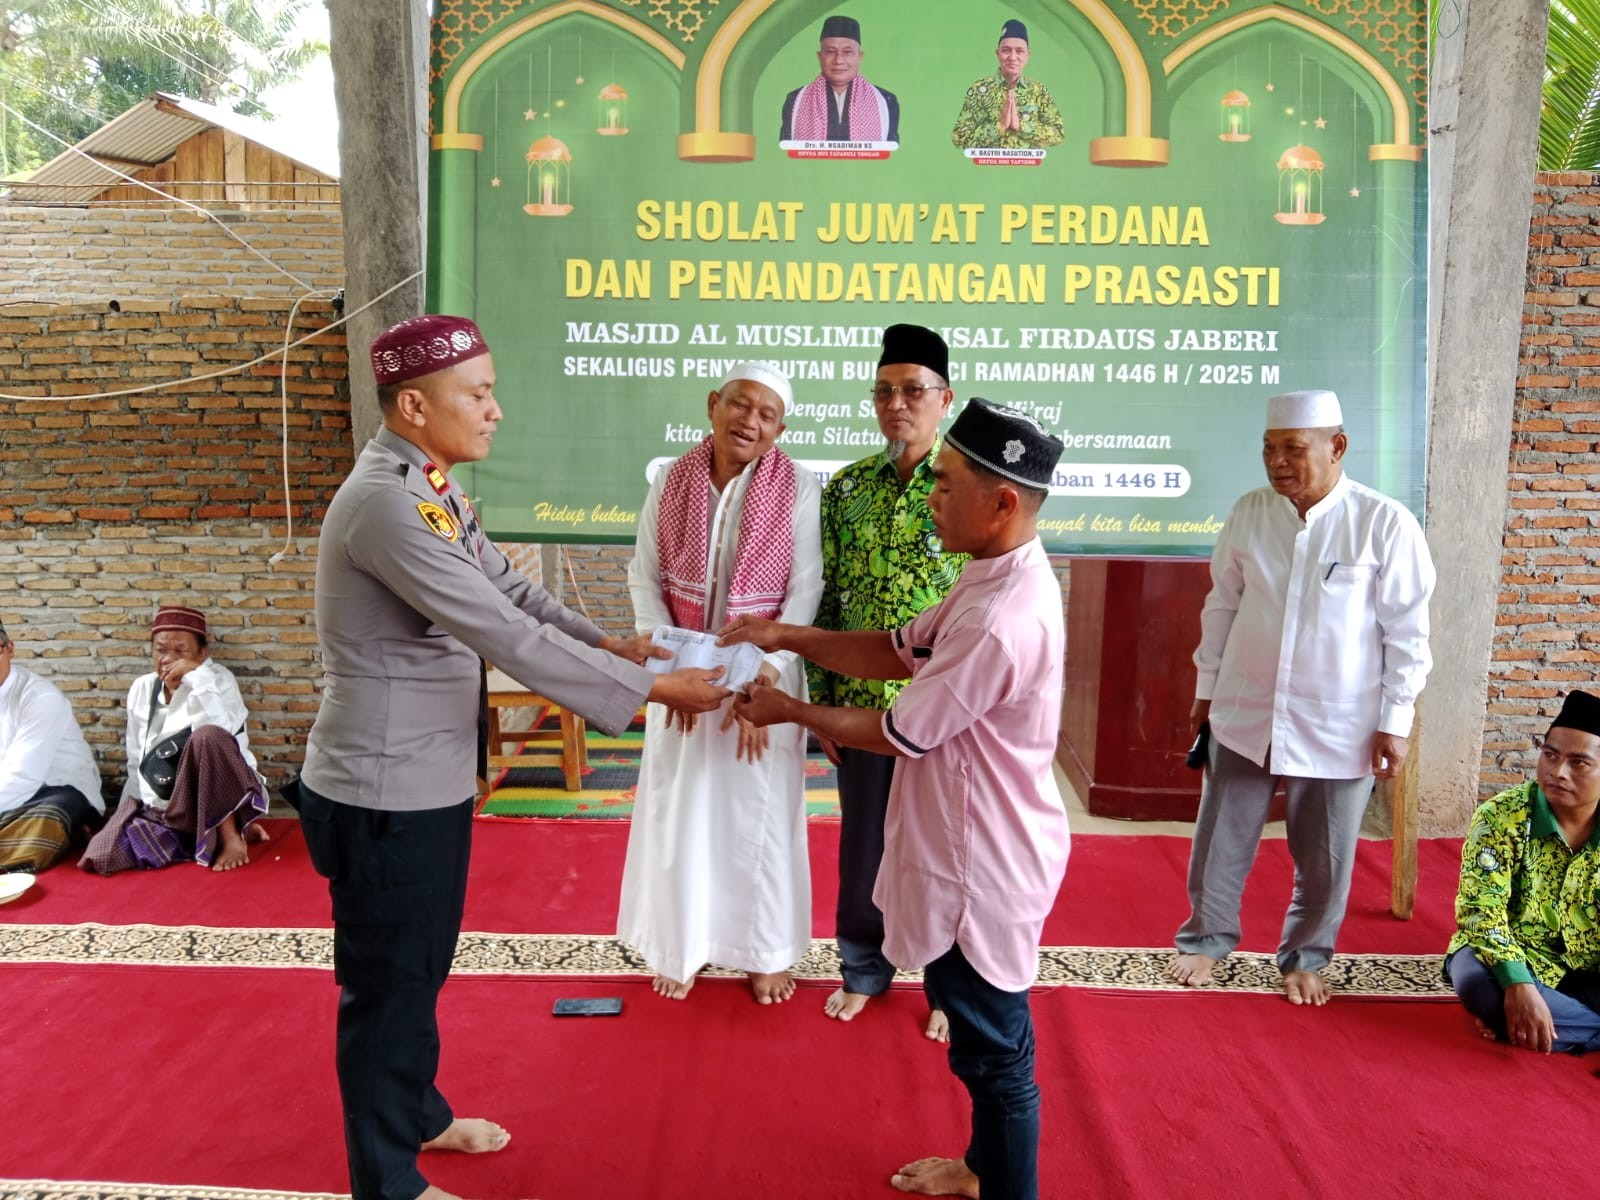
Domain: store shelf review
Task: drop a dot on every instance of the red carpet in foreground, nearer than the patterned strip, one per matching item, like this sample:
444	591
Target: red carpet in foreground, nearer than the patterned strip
1202	1097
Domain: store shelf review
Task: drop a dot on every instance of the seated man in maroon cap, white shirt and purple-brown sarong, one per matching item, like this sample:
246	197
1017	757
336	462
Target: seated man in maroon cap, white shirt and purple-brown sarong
193	785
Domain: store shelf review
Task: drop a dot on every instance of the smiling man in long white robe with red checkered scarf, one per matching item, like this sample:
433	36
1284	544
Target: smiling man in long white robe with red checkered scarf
718	870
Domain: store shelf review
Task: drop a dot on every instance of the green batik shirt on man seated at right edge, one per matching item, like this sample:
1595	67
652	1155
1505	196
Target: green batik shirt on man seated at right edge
1527	902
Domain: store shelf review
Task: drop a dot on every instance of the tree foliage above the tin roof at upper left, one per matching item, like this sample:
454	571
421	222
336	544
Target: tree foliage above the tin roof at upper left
74	65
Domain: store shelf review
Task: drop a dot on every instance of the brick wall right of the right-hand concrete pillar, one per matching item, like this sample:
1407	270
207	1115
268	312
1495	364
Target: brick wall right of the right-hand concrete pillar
1548	638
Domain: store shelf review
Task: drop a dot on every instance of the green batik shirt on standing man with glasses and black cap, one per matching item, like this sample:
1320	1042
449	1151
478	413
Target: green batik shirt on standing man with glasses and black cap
882	564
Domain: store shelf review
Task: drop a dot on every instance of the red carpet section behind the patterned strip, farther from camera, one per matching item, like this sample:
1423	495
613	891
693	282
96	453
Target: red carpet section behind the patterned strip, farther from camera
564	878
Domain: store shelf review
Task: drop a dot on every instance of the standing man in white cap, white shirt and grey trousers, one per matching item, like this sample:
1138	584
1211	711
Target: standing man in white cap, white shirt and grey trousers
1313	654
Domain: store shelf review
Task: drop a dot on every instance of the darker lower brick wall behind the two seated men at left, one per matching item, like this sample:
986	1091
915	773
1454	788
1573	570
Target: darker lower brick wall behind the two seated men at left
113	506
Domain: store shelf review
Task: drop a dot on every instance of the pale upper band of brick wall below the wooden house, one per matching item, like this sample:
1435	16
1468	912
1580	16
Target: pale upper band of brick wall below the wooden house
100	254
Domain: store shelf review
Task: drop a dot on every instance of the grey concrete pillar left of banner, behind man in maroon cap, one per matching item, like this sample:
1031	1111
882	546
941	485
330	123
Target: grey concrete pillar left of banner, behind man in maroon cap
380	89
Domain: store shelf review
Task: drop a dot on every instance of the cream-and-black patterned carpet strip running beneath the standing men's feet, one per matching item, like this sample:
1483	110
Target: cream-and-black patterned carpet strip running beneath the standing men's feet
1414	977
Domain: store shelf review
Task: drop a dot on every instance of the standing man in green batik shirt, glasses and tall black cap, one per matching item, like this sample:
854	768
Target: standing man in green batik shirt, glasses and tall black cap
882	566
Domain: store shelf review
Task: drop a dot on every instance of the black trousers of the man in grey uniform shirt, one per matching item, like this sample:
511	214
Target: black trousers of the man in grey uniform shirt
399	882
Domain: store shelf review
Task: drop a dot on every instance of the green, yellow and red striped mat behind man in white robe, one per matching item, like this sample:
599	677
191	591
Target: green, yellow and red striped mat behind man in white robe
612	782
